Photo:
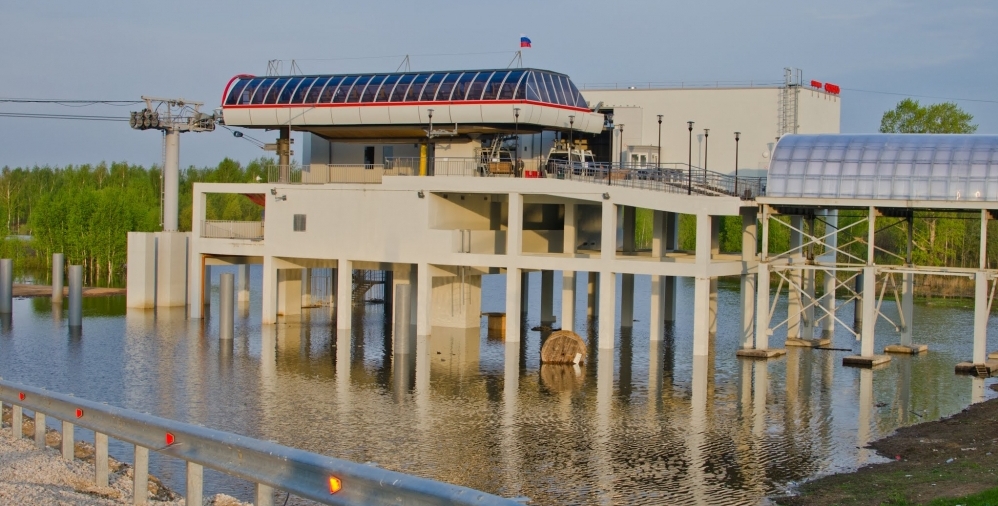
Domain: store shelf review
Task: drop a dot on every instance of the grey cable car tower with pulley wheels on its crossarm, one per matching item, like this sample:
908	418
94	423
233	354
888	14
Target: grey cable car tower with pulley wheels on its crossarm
172	116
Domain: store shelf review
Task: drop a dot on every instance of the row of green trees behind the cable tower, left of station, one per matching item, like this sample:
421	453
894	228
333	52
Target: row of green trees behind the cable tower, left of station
85	211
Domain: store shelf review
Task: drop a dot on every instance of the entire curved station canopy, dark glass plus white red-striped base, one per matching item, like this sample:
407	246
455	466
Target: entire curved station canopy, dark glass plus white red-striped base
402	105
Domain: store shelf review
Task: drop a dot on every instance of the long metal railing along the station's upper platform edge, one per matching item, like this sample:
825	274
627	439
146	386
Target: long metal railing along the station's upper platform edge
671	178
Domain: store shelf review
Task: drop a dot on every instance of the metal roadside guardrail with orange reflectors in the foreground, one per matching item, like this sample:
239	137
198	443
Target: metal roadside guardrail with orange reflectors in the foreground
269	465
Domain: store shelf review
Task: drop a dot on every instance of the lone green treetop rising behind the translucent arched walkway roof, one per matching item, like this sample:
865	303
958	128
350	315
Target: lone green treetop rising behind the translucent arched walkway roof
910	117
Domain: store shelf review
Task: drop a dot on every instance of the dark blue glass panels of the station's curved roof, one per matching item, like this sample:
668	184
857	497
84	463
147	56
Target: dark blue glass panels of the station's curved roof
447	86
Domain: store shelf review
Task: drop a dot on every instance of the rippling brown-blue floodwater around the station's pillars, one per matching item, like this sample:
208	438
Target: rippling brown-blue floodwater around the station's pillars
644	423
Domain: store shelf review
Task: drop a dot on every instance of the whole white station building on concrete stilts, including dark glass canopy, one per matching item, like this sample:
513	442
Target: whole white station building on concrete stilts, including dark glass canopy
439	178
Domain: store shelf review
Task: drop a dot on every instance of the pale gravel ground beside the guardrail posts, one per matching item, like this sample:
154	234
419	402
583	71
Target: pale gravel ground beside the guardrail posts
32	476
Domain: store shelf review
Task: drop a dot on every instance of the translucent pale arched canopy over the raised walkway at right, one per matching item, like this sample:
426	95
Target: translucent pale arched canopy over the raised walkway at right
886	167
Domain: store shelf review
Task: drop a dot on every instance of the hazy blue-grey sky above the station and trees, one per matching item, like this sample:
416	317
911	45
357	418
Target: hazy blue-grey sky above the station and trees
121	50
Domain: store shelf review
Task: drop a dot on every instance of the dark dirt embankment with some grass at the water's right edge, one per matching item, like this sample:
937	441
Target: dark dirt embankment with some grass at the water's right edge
948	458
